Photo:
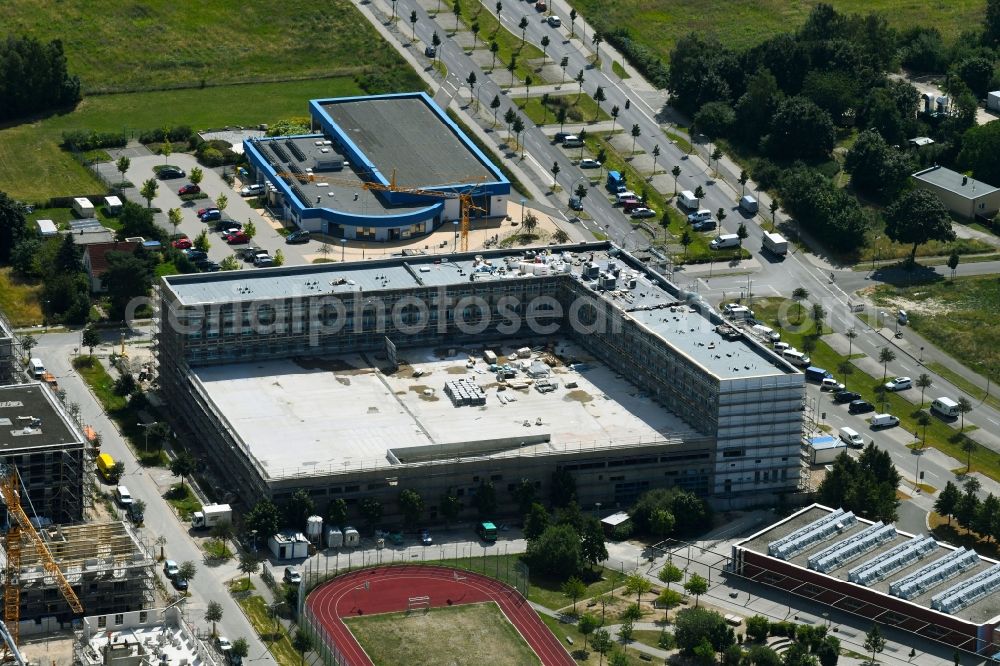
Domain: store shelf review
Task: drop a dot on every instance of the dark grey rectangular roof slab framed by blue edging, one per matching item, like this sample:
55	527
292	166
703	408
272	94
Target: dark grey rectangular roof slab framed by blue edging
401	134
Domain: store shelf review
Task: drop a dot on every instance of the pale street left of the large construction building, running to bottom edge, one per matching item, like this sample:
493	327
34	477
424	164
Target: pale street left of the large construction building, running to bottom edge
146	483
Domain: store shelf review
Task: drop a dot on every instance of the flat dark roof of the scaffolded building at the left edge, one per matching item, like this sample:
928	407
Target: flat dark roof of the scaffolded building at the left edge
30	418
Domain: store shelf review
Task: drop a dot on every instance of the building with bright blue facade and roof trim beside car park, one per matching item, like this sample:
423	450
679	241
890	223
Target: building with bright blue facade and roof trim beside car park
337	179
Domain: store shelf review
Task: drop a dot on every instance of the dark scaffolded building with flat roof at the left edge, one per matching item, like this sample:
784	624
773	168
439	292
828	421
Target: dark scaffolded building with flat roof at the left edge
46	446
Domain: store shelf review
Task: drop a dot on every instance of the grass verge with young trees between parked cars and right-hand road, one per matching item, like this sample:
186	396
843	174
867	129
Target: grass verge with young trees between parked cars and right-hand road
939	434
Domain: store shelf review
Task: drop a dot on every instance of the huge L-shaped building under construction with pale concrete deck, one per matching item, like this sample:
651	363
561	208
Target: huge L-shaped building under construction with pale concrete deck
433	373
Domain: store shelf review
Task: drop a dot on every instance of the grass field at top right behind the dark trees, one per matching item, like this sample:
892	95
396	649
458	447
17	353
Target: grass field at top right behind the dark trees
738	24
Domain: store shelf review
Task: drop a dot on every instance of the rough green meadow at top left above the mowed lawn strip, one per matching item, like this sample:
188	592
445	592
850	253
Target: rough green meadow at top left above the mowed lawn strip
160	44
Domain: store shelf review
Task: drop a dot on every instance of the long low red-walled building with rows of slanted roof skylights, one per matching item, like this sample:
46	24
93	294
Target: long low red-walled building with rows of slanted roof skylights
914	583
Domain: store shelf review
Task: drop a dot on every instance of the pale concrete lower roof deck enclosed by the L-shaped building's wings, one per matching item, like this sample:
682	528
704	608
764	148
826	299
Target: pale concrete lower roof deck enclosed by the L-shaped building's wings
337	414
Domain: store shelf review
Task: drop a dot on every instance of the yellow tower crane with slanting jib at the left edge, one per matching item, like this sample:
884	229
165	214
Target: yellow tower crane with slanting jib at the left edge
21	527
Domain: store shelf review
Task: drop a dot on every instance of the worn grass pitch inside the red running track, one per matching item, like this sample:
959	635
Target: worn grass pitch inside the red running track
470	634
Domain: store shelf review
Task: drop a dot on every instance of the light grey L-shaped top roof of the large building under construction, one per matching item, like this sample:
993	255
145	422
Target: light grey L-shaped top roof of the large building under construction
651	302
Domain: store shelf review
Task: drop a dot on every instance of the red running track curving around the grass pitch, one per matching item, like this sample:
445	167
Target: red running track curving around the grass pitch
389	590
